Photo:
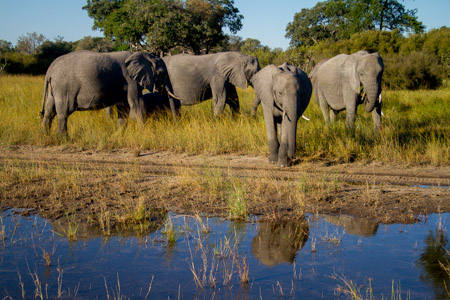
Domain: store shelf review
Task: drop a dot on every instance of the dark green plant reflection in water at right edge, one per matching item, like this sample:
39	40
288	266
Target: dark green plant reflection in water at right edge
435	261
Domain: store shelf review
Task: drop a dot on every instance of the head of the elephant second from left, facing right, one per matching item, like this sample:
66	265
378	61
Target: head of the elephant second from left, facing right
237	68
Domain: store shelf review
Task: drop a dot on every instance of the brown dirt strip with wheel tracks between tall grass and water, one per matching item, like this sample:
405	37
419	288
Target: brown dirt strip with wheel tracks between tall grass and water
52	180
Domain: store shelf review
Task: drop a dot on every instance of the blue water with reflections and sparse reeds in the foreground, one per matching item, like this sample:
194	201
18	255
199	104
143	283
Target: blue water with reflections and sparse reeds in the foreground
187	258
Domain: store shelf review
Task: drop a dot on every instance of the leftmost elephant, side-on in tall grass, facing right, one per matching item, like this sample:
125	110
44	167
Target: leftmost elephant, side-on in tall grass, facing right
85	80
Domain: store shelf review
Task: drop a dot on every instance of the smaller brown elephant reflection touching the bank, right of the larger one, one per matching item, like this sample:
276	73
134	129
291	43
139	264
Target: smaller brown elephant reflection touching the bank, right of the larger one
353	225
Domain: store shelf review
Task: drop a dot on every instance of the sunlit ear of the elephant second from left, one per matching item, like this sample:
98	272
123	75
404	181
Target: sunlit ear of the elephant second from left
231	68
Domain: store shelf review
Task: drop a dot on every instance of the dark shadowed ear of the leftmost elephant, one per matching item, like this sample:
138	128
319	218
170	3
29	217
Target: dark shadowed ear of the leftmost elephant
141	67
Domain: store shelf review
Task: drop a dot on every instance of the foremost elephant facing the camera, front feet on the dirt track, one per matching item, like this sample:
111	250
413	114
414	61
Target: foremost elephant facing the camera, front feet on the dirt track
284	92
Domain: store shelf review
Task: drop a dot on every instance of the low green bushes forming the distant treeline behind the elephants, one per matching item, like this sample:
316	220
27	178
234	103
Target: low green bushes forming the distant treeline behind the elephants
419	61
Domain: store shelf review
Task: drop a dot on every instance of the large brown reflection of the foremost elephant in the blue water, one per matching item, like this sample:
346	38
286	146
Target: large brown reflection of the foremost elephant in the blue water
278	243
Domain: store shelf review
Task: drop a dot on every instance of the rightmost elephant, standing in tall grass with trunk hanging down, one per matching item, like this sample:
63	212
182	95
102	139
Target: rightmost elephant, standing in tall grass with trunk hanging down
345	81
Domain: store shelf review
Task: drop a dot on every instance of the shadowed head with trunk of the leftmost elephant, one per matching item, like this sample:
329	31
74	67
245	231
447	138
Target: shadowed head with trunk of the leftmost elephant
150	73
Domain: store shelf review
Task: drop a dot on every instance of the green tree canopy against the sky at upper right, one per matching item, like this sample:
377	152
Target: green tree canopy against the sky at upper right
339	19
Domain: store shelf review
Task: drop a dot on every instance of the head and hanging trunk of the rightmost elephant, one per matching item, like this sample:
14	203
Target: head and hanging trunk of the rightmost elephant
364	72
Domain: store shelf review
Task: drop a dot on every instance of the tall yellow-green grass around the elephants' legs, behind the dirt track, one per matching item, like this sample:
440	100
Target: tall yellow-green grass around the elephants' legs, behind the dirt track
416	128
